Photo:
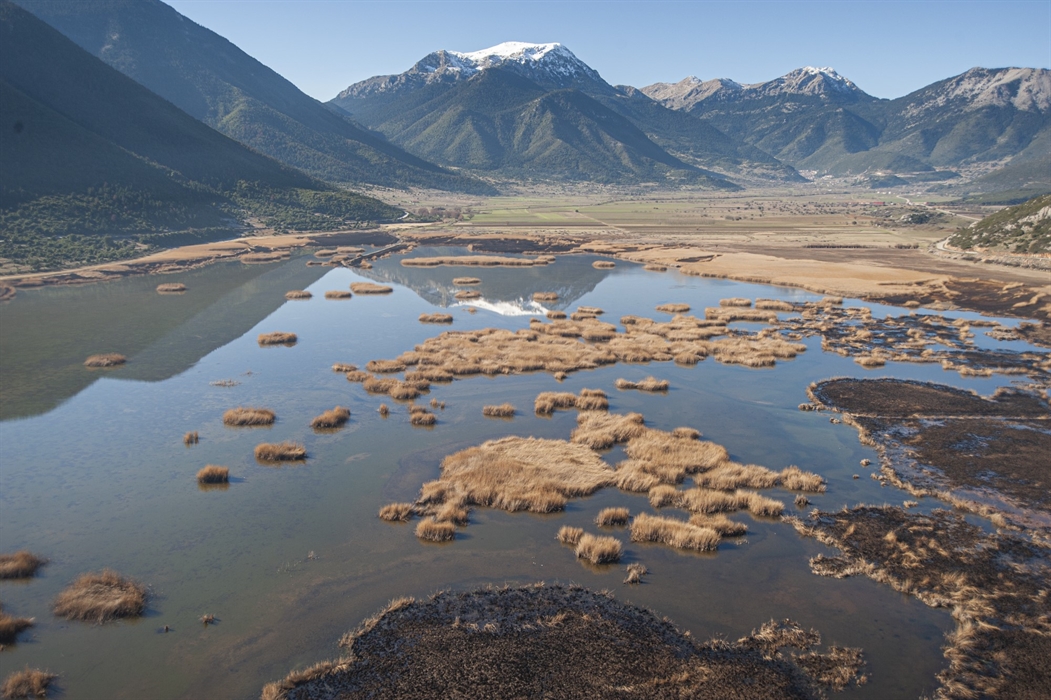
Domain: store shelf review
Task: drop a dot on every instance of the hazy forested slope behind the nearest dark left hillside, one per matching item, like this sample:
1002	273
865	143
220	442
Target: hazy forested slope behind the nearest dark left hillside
213	80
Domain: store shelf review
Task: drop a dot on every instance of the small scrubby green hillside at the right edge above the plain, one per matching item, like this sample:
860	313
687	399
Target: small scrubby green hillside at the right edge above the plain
1025	229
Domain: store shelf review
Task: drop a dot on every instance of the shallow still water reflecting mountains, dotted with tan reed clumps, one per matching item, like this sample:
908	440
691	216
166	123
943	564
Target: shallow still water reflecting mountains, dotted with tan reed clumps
104	480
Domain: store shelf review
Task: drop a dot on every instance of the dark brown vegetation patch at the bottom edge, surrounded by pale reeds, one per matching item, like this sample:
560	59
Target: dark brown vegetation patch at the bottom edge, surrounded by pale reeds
472	644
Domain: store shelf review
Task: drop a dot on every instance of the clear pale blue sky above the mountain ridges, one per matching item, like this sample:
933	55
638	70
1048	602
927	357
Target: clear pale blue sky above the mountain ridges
889	49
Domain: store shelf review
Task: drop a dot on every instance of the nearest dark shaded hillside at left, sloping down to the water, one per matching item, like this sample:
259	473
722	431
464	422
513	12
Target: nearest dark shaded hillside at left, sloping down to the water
96	168
